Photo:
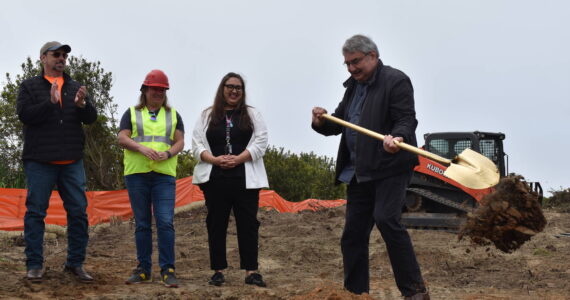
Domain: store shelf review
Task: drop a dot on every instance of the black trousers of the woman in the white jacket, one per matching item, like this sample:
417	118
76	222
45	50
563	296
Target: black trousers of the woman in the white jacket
222	196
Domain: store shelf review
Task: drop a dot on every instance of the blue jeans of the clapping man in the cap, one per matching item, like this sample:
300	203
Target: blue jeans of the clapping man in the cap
41	178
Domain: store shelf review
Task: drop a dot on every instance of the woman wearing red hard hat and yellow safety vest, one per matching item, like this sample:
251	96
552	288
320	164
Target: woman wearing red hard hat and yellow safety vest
152	134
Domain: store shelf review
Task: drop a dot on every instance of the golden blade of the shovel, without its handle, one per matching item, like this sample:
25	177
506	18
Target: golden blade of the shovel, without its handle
473	170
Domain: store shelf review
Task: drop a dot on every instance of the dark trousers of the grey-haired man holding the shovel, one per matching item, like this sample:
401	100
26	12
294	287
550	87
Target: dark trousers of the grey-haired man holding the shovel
378	202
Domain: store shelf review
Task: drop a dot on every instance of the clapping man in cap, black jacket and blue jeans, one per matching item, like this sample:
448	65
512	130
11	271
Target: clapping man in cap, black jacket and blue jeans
53	107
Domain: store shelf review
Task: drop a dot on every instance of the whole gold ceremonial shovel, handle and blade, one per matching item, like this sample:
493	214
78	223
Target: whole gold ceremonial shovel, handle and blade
469	168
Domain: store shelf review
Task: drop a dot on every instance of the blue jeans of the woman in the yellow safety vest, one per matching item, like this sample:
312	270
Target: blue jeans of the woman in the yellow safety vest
153	192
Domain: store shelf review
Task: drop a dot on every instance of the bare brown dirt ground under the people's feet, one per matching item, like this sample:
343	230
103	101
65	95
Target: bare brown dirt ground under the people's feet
300	259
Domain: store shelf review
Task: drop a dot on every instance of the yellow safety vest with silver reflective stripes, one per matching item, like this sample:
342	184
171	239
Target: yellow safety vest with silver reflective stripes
158	135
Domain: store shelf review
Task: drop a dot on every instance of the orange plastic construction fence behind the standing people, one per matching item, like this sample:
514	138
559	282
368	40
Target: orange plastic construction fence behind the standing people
103	205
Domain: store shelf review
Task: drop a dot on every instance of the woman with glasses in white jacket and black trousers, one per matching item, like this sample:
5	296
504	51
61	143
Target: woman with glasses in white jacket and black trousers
230	140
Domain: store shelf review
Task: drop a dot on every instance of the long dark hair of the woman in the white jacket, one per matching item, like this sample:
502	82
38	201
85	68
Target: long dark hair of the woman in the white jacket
218	113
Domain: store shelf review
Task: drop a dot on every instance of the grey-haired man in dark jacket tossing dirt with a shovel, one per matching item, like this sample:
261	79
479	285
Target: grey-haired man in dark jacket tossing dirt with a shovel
379	98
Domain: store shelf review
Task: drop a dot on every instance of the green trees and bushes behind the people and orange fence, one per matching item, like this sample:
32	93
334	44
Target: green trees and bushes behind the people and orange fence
293	176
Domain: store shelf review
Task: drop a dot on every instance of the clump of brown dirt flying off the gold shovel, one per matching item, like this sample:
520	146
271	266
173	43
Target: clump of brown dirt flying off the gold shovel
508	217
